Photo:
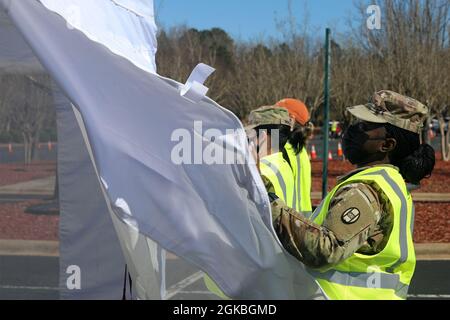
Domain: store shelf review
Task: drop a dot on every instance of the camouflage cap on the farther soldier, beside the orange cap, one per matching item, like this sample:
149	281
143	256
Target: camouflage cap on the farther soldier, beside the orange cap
269	115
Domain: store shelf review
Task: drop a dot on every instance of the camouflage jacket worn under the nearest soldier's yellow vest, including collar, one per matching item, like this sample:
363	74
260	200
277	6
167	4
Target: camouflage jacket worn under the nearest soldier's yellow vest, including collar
326	245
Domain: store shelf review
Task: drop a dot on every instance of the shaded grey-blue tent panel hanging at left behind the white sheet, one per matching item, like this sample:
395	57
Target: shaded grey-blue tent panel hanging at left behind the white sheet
88	241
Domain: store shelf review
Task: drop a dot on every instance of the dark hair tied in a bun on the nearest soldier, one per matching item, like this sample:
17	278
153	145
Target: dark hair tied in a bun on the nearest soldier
415	161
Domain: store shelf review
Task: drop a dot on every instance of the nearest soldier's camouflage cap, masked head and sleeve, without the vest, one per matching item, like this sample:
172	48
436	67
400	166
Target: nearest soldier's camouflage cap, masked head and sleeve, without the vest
366	232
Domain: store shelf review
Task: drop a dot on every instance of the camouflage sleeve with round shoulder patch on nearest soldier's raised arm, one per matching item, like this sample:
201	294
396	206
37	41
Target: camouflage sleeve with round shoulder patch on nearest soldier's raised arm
354	212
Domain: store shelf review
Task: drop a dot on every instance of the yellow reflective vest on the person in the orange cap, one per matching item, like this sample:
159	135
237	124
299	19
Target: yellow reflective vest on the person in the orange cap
301	167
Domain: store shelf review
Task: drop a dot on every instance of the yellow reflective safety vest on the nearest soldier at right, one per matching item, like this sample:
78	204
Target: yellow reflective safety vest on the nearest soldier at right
385	275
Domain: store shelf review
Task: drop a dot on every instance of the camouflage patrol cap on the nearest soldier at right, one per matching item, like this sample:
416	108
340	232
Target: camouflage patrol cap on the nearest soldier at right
391	107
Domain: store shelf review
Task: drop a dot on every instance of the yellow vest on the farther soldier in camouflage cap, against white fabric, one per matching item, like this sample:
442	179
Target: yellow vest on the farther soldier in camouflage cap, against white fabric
279	173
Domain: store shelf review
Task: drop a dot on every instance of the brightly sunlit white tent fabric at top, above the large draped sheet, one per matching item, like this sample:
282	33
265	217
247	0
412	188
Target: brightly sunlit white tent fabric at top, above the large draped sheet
126	27
